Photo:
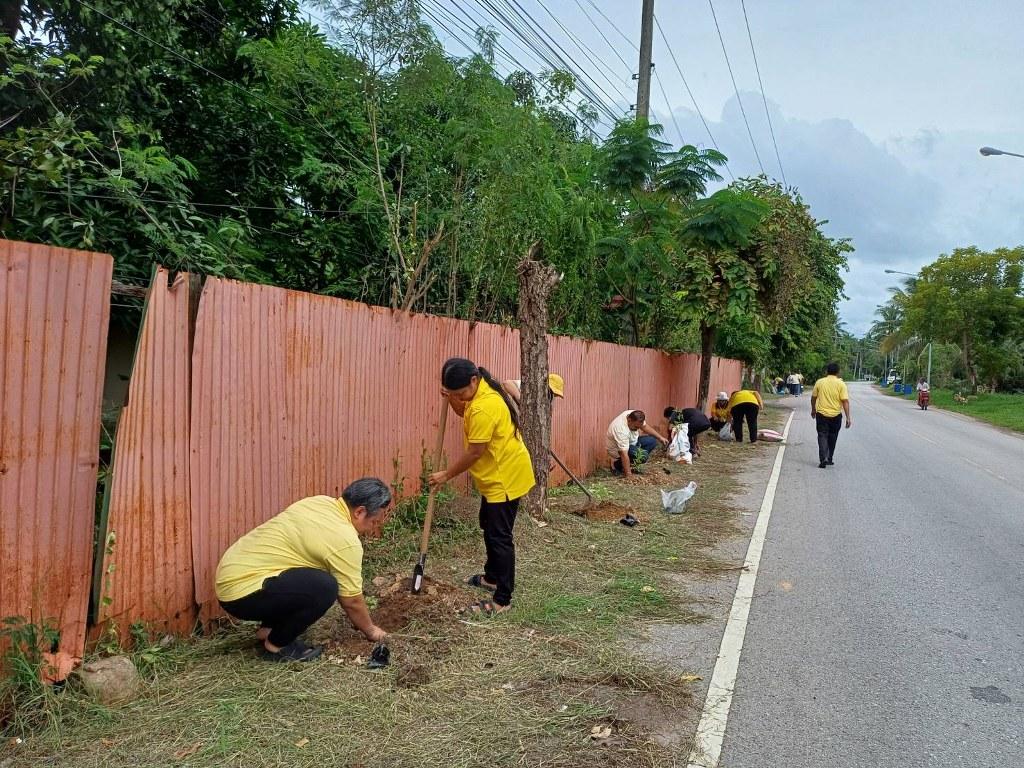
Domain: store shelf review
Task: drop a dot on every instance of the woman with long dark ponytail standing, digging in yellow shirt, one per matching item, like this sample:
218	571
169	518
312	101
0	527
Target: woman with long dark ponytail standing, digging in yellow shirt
501	468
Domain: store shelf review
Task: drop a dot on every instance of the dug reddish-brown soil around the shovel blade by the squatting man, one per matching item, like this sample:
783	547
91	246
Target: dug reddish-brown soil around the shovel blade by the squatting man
437	608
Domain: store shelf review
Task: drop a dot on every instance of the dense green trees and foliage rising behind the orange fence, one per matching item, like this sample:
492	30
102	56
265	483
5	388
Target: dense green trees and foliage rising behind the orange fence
362	161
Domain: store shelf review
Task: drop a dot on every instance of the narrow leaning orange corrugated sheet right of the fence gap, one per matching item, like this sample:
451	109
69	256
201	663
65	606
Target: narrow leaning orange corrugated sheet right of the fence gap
150	514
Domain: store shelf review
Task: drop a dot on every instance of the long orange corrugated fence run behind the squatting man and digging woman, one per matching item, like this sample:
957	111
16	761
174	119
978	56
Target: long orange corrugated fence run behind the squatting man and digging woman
297	395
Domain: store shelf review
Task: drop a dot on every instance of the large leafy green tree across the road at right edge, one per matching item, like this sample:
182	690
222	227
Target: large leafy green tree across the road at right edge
974	300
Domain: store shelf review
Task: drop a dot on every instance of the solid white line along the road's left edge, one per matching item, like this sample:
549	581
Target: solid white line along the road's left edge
711	730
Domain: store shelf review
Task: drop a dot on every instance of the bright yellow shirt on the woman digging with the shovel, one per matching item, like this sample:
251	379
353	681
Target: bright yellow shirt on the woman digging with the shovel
504	472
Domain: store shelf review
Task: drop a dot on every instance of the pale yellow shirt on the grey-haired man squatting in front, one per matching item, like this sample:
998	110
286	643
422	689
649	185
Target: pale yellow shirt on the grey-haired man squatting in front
314	533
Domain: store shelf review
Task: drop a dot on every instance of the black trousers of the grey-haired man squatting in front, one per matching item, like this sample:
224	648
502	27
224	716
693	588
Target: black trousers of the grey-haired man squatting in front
288	604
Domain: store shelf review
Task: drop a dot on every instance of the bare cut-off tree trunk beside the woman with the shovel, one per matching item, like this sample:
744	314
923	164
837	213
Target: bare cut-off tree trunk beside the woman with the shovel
536	284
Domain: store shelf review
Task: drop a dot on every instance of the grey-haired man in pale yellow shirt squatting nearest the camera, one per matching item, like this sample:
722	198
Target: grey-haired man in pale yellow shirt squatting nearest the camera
288	572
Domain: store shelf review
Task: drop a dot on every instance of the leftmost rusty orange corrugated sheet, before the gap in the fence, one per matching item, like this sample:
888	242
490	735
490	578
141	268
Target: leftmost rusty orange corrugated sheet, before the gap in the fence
55	309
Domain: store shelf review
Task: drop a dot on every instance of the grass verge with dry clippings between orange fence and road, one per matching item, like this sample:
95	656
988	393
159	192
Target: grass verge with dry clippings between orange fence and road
529	688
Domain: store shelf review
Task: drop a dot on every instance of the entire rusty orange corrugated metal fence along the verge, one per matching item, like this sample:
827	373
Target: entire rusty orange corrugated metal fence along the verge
280	396
